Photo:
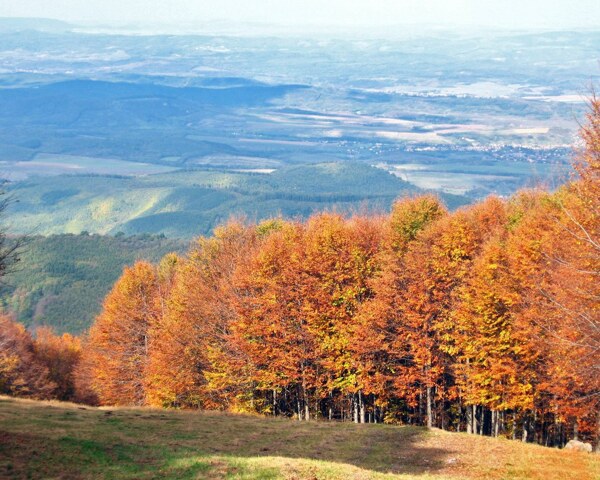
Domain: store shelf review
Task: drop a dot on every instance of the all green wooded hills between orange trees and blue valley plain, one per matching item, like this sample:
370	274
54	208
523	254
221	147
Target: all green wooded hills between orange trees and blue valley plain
64	276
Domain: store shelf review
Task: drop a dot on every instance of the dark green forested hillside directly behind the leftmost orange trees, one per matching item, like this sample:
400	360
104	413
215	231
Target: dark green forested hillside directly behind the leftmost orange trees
62	279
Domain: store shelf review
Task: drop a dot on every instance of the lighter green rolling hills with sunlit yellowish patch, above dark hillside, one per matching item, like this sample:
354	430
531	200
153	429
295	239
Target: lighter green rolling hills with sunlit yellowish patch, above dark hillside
188	203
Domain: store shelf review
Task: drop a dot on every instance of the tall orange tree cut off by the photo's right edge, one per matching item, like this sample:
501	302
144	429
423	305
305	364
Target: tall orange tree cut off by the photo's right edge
575	288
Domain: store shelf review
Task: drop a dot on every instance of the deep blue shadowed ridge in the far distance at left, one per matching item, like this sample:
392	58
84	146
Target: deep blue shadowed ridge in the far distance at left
135	121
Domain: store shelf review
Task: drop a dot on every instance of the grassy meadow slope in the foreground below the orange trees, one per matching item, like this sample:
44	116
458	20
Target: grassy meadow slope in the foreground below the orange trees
53	440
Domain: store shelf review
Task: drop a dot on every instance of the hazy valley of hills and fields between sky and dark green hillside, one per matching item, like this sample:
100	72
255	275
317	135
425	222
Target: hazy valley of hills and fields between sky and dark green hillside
241	117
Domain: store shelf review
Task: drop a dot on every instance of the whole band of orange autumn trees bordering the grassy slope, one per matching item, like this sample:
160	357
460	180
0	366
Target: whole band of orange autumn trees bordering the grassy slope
484	320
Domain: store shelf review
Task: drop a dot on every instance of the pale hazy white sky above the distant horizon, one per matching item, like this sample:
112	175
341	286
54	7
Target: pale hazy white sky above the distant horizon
517	14
